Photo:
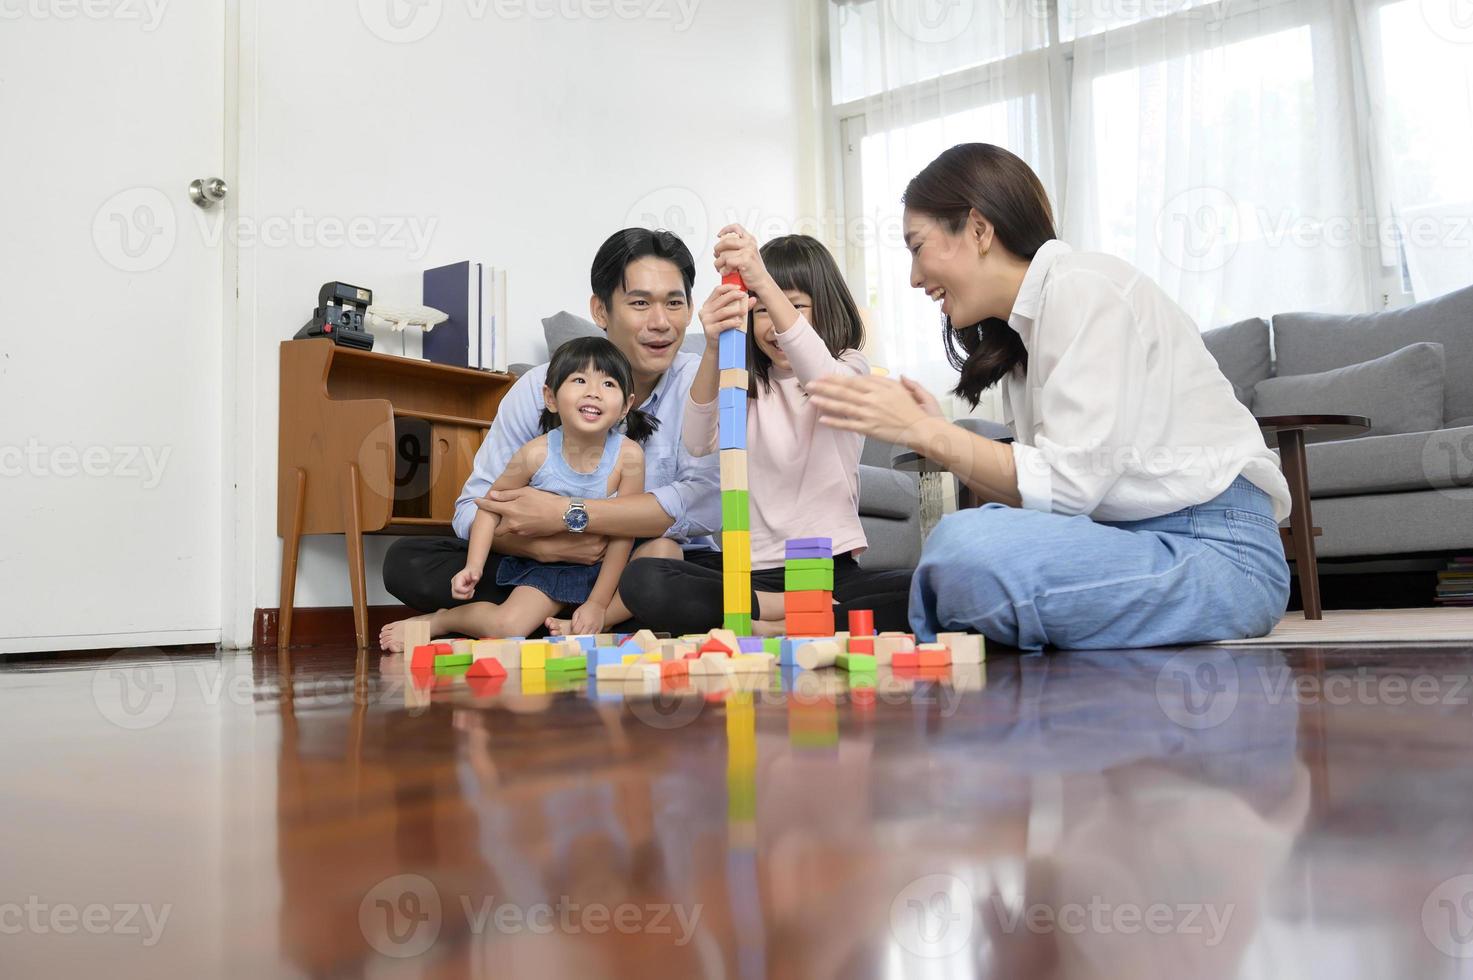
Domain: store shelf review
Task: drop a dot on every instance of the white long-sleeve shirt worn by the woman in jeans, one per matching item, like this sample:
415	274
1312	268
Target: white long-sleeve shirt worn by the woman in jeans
1122	413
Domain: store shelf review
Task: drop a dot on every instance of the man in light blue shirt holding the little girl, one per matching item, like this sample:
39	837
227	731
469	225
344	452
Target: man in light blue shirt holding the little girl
641	298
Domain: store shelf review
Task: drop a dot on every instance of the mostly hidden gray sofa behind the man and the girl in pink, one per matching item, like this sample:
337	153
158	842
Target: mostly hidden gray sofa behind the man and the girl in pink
889	500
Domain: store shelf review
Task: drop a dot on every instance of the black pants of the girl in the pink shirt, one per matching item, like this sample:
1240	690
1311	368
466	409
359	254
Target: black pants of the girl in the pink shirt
687	598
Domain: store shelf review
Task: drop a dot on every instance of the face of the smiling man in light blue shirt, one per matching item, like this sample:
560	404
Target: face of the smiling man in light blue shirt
649	316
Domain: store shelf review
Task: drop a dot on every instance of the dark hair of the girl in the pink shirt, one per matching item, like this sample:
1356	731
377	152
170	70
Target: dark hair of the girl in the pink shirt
802	263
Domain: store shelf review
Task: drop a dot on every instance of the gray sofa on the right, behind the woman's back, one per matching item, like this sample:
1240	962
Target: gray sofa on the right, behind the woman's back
1396	494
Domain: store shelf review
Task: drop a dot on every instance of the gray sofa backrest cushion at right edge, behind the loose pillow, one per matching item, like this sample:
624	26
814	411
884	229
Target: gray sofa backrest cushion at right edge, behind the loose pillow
1306	344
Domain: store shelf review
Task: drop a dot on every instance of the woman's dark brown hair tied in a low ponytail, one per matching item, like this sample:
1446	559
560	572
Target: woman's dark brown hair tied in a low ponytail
1010	195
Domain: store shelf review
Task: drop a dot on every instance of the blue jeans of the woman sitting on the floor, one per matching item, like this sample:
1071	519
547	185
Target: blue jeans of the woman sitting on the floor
1029	580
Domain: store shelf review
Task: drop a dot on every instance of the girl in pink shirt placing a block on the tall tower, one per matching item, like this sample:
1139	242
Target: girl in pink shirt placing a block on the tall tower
804	477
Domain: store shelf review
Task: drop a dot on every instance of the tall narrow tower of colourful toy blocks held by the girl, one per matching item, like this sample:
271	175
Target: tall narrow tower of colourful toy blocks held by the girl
736	503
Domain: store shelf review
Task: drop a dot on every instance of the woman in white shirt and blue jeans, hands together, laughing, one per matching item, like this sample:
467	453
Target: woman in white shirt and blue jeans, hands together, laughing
1138	505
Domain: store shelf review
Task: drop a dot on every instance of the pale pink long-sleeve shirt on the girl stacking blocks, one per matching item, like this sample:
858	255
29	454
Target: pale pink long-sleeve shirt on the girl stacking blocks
804	477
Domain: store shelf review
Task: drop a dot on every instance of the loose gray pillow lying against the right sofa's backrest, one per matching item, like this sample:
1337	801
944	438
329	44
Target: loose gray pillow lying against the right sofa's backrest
1399	393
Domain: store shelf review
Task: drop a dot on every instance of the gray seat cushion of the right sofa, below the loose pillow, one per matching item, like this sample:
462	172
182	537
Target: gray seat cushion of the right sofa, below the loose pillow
1394	465
